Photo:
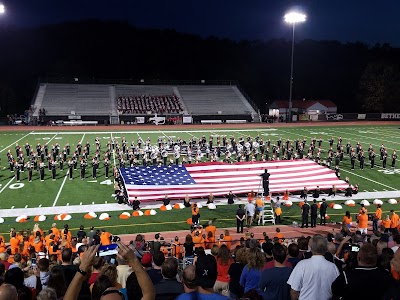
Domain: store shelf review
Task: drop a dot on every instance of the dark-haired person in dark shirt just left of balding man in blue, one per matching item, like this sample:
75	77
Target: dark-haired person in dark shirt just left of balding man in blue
169	287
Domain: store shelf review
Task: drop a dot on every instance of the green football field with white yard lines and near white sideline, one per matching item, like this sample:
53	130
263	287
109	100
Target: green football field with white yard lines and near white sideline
58	195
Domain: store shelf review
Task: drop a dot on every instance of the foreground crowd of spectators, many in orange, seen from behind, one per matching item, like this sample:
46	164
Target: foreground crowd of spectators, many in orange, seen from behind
62	265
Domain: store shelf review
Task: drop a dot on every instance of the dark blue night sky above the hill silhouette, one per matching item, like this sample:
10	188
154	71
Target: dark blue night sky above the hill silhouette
368	21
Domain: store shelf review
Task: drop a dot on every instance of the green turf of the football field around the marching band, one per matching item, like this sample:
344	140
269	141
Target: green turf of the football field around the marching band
86	192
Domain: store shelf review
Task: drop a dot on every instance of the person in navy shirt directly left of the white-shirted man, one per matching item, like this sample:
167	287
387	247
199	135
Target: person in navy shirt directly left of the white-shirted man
273	281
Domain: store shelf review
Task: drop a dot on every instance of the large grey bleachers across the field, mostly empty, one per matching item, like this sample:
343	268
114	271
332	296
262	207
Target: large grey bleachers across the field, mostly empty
116	100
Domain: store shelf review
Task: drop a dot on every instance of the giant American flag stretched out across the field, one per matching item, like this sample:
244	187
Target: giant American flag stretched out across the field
199	180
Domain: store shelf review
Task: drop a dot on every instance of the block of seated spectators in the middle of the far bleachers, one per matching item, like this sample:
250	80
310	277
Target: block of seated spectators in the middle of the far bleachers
149	103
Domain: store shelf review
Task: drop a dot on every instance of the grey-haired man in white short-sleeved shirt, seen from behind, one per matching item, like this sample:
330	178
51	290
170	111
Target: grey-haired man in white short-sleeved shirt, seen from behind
312	278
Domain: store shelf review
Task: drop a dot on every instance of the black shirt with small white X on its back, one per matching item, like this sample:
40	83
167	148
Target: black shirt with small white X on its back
206	271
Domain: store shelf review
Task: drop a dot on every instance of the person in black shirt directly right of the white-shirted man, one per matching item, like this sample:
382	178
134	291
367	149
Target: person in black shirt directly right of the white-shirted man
347	285
